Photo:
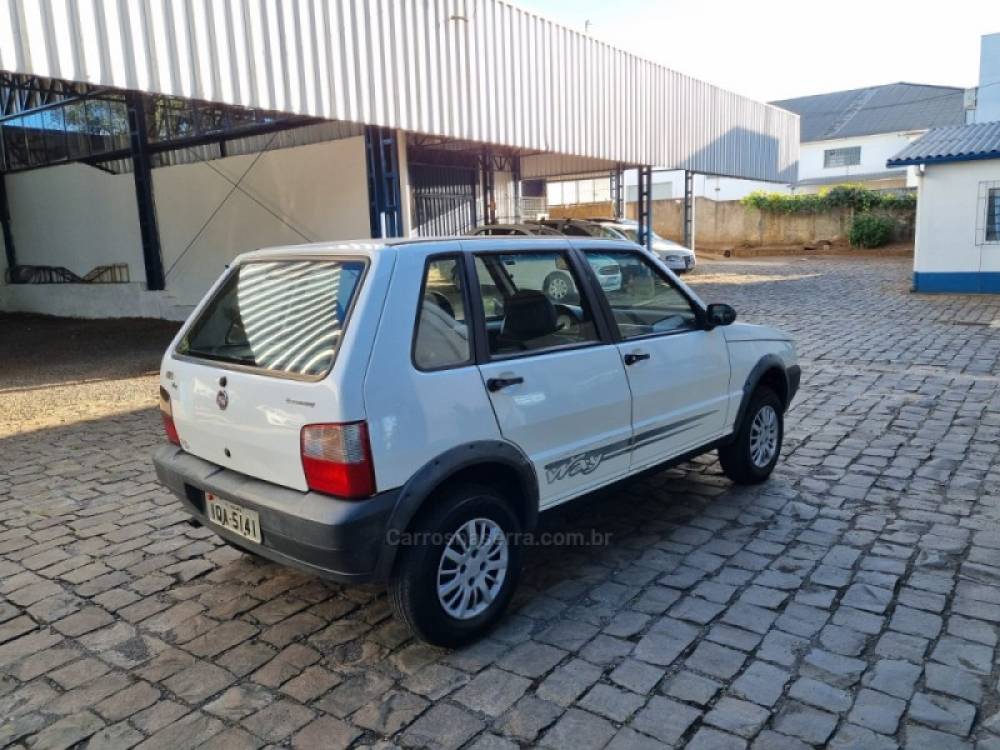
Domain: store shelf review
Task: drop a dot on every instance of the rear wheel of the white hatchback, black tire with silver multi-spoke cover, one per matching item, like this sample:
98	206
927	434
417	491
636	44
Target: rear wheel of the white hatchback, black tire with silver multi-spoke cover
426	591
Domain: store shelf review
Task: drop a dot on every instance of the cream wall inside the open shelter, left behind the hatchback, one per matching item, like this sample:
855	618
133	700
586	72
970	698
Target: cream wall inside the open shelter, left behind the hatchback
79	217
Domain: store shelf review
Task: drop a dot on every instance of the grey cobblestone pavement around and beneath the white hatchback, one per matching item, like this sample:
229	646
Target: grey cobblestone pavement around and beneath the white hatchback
851	600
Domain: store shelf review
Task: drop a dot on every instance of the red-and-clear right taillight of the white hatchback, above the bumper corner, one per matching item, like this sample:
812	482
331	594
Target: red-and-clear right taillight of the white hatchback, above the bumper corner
337	459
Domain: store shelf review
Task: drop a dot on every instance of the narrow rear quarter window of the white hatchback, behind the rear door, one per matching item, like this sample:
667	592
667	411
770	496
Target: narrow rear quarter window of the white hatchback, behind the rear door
442	335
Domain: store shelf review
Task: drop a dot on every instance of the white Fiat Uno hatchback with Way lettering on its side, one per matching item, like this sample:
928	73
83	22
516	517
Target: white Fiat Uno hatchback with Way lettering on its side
402	411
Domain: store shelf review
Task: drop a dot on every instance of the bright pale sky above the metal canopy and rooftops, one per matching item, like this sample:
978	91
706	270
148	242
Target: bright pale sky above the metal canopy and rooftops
778	49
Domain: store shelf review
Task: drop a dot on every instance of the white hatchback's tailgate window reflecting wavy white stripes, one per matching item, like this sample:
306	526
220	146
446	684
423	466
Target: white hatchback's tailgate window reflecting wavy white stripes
284	316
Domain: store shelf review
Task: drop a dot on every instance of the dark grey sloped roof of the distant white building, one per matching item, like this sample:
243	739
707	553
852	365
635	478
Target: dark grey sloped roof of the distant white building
894	108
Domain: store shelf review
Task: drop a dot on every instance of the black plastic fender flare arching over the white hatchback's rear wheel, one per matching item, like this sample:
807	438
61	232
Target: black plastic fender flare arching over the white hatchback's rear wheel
425	480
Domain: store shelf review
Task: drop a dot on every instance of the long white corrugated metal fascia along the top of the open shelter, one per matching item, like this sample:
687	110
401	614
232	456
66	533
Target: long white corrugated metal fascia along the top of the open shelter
480	70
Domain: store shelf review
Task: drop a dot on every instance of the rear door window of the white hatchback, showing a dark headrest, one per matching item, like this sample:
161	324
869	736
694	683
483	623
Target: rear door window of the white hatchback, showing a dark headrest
531	302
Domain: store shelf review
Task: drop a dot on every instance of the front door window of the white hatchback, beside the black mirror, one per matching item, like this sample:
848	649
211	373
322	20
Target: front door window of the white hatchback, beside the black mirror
644	301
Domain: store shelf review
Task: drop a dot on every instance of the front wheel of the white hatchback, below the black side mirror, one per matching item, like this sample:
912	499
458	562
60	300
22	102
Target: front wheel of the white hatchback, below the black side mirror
752	455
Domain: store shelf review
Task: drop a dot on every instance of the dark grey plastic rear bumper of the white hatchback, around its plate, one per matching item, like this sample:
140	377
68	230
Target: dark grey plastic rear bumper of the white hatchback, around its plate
341	540
